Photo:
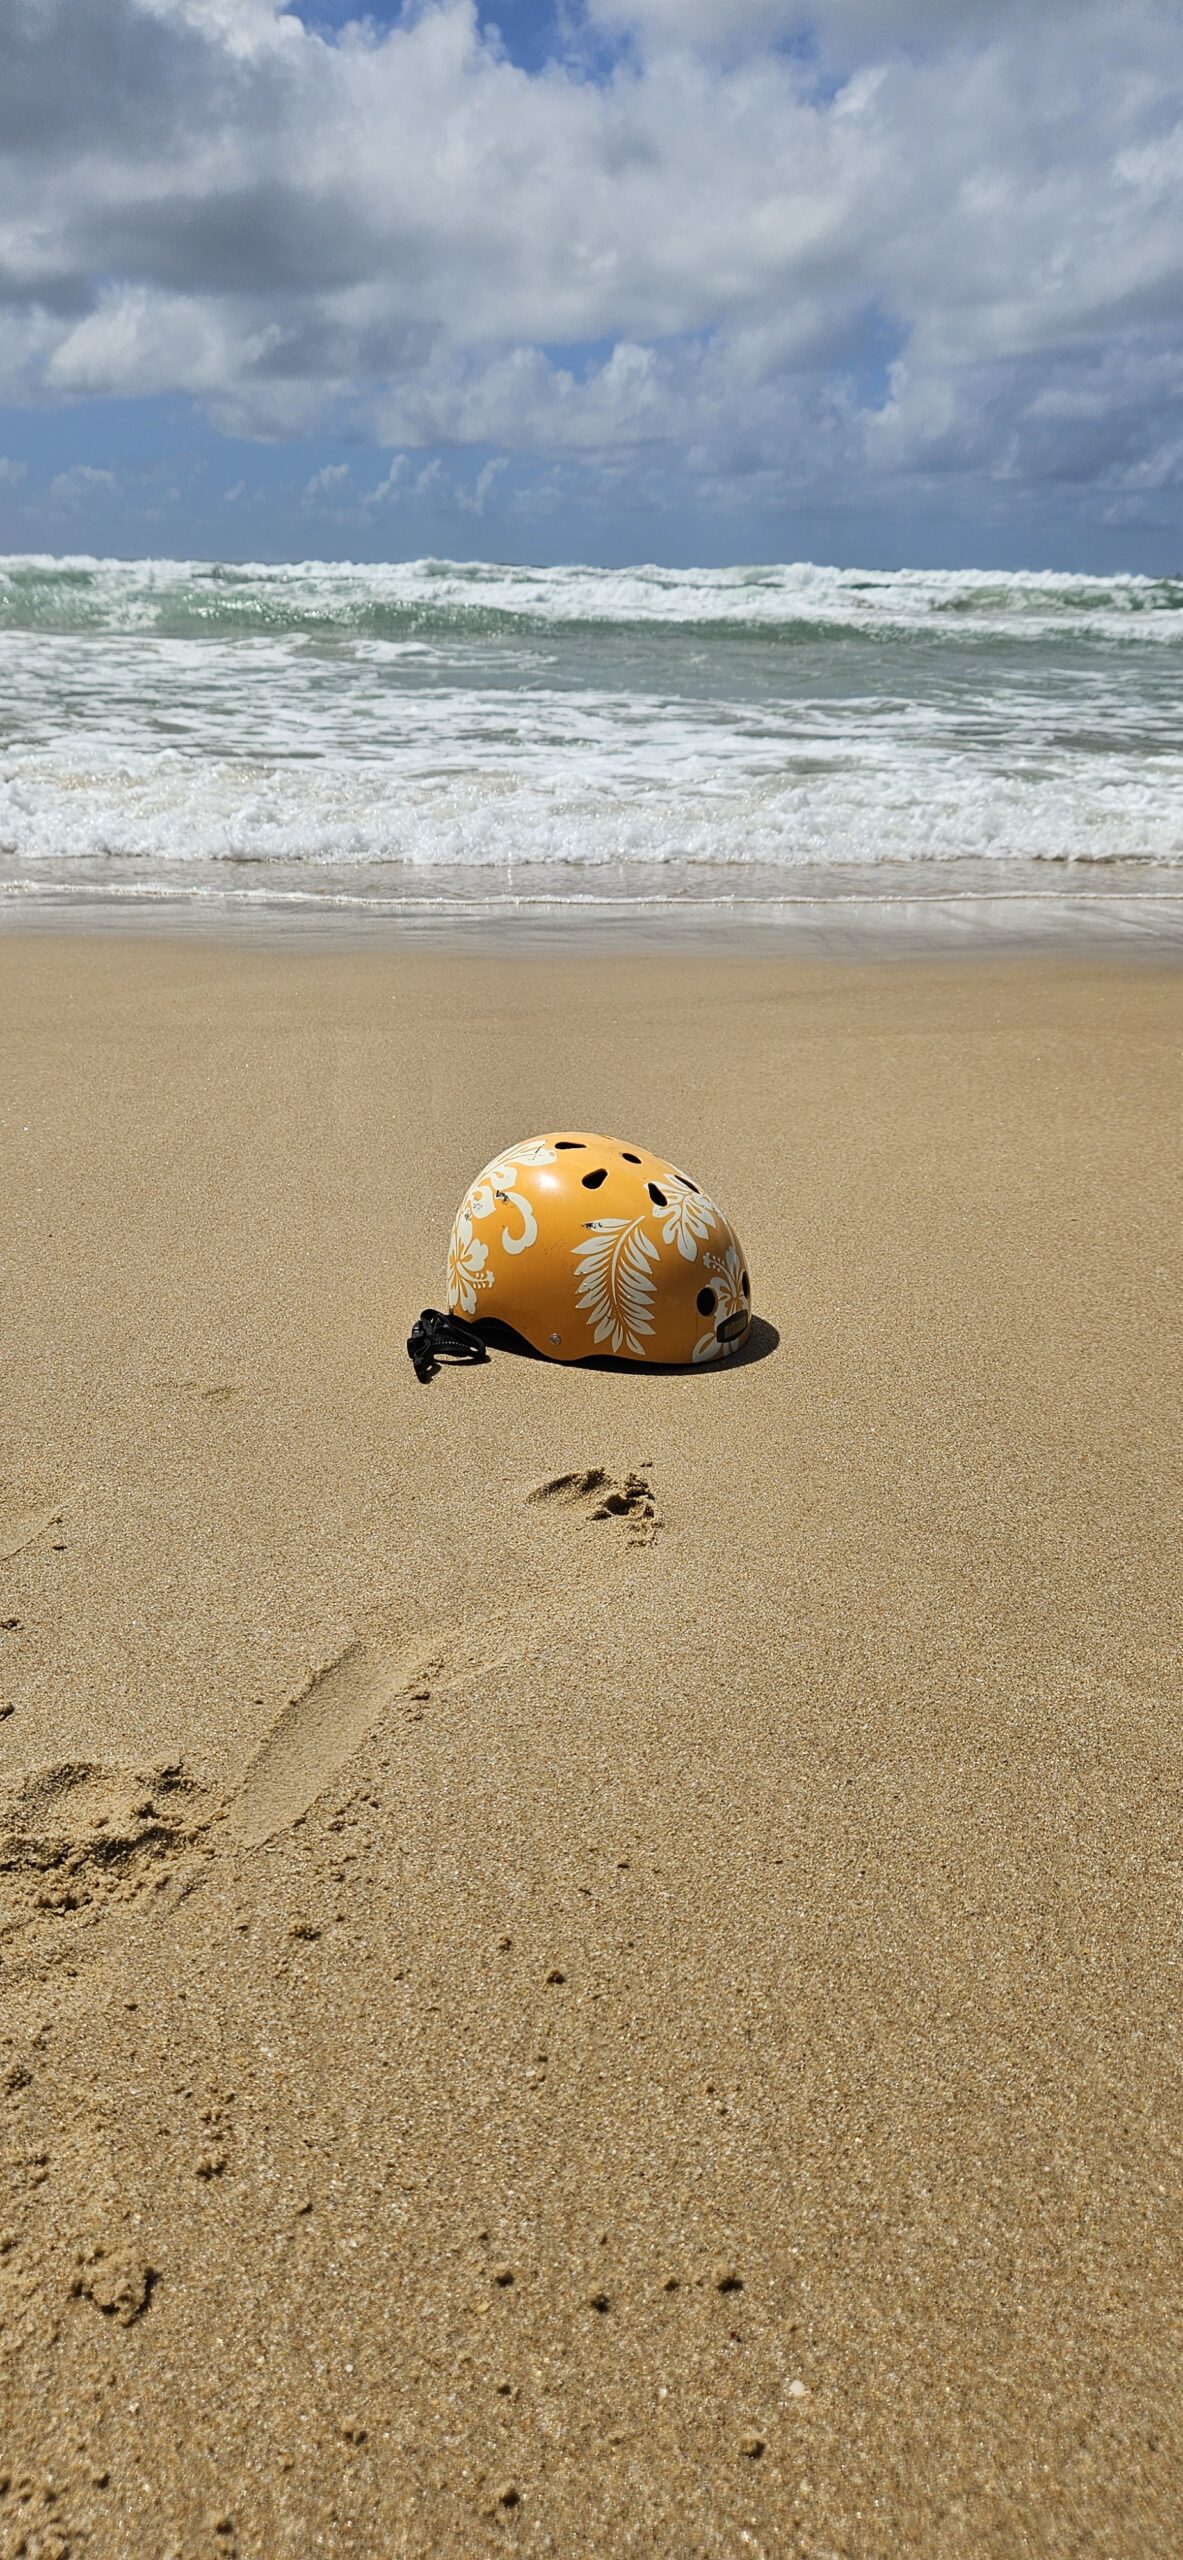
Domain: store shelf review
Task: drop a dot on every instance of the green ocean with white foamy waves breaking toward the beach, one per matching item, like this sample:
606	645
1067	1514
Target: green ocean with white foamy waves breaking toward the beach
444	736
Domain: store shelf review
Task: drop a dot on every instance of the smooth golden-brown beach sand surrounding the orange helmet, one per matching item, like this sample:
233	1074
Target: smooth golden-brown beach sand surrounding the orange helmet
524	2034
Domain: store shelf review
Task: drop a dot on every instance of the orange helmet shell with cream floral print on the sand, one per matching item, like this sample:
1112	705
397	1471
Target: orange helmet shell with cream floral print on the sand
588	1245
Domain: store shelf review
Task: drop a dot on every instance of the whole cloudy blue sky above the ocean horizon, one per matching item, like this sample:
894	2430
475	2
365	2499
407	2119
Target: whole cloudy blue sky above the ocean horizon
611	280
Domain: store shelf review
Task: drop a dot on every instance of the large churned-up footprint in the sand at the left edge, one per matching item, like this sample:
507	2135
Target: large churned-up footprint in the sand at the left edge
83	1837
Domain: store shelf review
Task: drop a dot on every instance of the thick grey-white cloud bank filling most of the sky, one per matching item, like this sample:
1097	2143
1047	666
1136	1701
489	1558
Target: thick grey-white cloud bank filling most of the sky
854	242
